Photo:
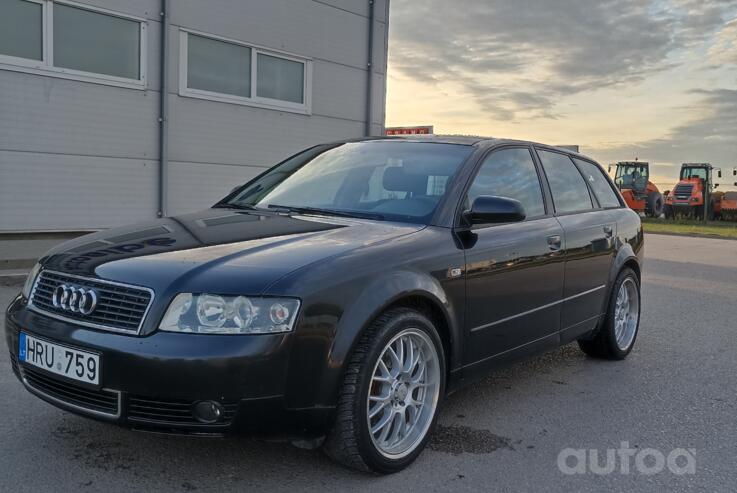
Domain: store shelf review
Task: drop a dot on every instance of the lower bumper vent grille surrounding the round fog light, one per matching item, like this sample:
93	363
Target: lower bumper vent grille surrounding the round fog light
172	412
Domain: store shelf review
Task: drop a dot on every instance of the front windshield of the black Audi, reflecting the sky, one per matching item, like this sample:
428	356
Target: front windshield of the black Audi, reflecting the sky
393	180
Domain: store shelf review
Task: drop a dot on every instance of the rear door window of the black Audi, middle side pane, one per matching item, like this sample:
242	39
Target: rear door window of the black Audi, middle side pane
570	193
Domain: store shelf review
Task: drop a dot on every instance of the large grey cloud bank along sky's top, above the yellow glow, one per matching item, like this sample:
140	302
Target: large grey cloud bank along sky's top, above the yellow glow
518	59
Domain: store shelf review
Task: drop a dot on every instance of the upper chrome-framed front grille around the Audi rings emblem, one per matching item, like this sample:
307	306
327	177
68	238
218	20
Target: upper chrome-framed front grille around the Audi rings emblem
120	307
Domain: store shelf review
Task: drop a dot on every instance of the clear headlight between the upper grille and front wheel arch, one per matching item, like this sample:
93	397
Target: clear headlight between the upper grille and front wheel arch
215	314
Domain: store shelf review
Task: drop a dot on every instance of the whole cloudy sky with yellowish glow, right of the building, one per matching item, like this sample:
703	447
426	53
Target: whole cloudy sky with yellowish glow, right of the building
622	78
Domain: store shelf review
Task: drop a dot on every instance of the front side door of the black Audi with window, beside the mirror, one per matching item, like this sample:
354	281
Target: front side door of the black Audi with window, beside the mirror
514	271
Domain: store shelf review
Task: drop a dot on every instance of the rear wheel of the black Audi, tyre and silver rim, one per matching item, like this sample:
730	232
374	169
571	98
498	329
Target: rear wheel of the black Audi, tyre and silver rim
605	343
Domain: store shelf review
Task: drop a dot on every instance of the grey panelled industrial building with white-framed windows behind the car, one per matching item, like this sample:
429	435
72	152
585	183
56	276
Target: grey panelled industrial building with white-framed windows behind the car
87	142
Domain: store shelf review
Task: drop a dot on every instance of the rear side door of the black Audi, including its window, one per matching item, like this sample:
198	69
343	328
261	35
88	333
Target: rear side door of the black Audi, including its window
589	228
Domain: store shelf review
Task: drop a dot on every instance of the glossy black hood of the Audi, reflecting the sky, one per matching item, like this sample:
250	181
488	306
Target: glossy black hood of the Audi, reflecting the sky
221	250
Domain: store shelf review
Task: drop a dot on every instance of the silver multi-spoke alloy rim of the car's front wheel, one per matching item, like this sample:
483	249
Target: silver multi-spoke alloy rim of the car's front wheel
404	391
